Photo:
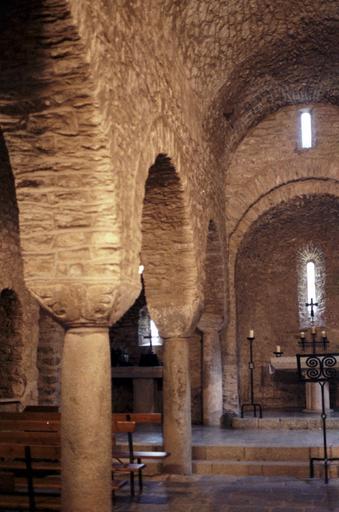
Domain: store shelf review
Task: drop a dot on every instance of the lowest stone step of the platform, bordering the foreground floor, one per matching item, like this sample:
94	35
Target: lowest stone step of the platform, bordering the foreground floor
296	469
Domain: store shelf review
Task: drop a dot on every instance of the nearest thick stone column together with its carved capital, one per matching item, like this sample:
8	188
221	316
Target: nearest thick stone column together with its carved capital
86	311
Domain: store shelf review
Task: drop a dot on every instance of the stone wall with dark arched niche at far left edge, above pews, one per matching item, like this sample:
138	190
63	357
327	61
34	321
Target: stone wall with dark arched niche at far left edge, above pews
19	312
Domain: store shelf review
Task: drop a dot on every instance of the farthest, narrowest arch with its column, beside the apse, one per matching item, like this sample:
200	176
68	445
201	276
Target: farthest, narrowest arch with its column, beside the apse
211	322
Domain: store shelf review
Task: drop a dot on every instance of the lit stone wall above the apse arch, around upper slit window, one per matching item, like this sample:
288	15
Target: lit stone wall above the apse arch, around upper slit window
269	157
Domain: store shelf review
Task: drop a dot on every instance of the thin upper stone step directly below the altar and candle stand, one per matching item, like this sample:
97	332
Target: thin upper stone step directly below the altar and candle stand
288	423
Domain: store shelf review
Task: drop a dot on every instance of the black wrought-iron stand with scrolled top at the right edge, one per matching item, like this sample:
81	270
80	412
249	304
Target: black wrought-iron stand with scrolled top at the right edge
319	368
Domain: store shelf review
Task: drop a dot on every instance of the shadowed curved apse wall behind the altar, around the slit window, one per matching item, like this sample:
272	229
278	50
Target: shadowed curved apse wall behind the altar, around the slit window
267	287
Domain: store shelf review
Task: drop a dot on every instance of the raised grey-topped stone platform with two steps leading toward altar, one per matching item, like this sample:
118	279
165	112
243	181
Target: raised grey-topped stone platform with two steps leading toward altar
253	452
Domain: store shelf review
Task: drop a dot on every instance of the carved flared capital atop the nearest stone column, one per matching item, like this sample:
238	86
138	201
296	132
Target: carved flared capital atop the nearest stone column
85	303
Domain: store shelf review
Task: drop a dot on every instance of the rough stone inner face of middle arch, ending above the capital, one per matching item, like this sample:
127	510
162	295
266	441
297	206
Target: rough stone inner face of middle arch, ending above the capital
166	240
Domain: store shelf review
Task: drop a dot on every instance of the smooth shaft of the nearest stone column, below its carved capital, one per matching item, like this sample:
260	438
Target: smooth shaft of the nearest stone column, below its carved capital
86	424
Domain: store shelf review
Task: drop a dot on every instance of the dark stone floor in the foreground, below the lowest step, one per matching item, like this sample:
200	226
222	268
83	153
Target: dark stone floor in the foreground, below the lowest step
229	494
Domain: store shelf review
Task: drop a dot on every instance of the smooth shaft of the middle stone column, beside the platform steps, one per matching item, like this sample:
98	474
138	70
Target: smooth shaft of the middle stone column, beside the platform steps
177	406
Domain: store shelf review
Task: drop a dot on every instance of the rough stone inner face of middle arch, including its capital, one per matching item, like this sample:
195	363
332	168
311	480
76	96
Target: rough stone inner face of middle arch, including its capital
168	254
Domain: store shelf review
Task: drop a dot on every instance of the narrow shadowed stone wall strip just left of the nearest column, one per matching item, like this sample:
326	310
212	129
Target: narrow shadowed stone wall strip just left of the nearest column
51	340
